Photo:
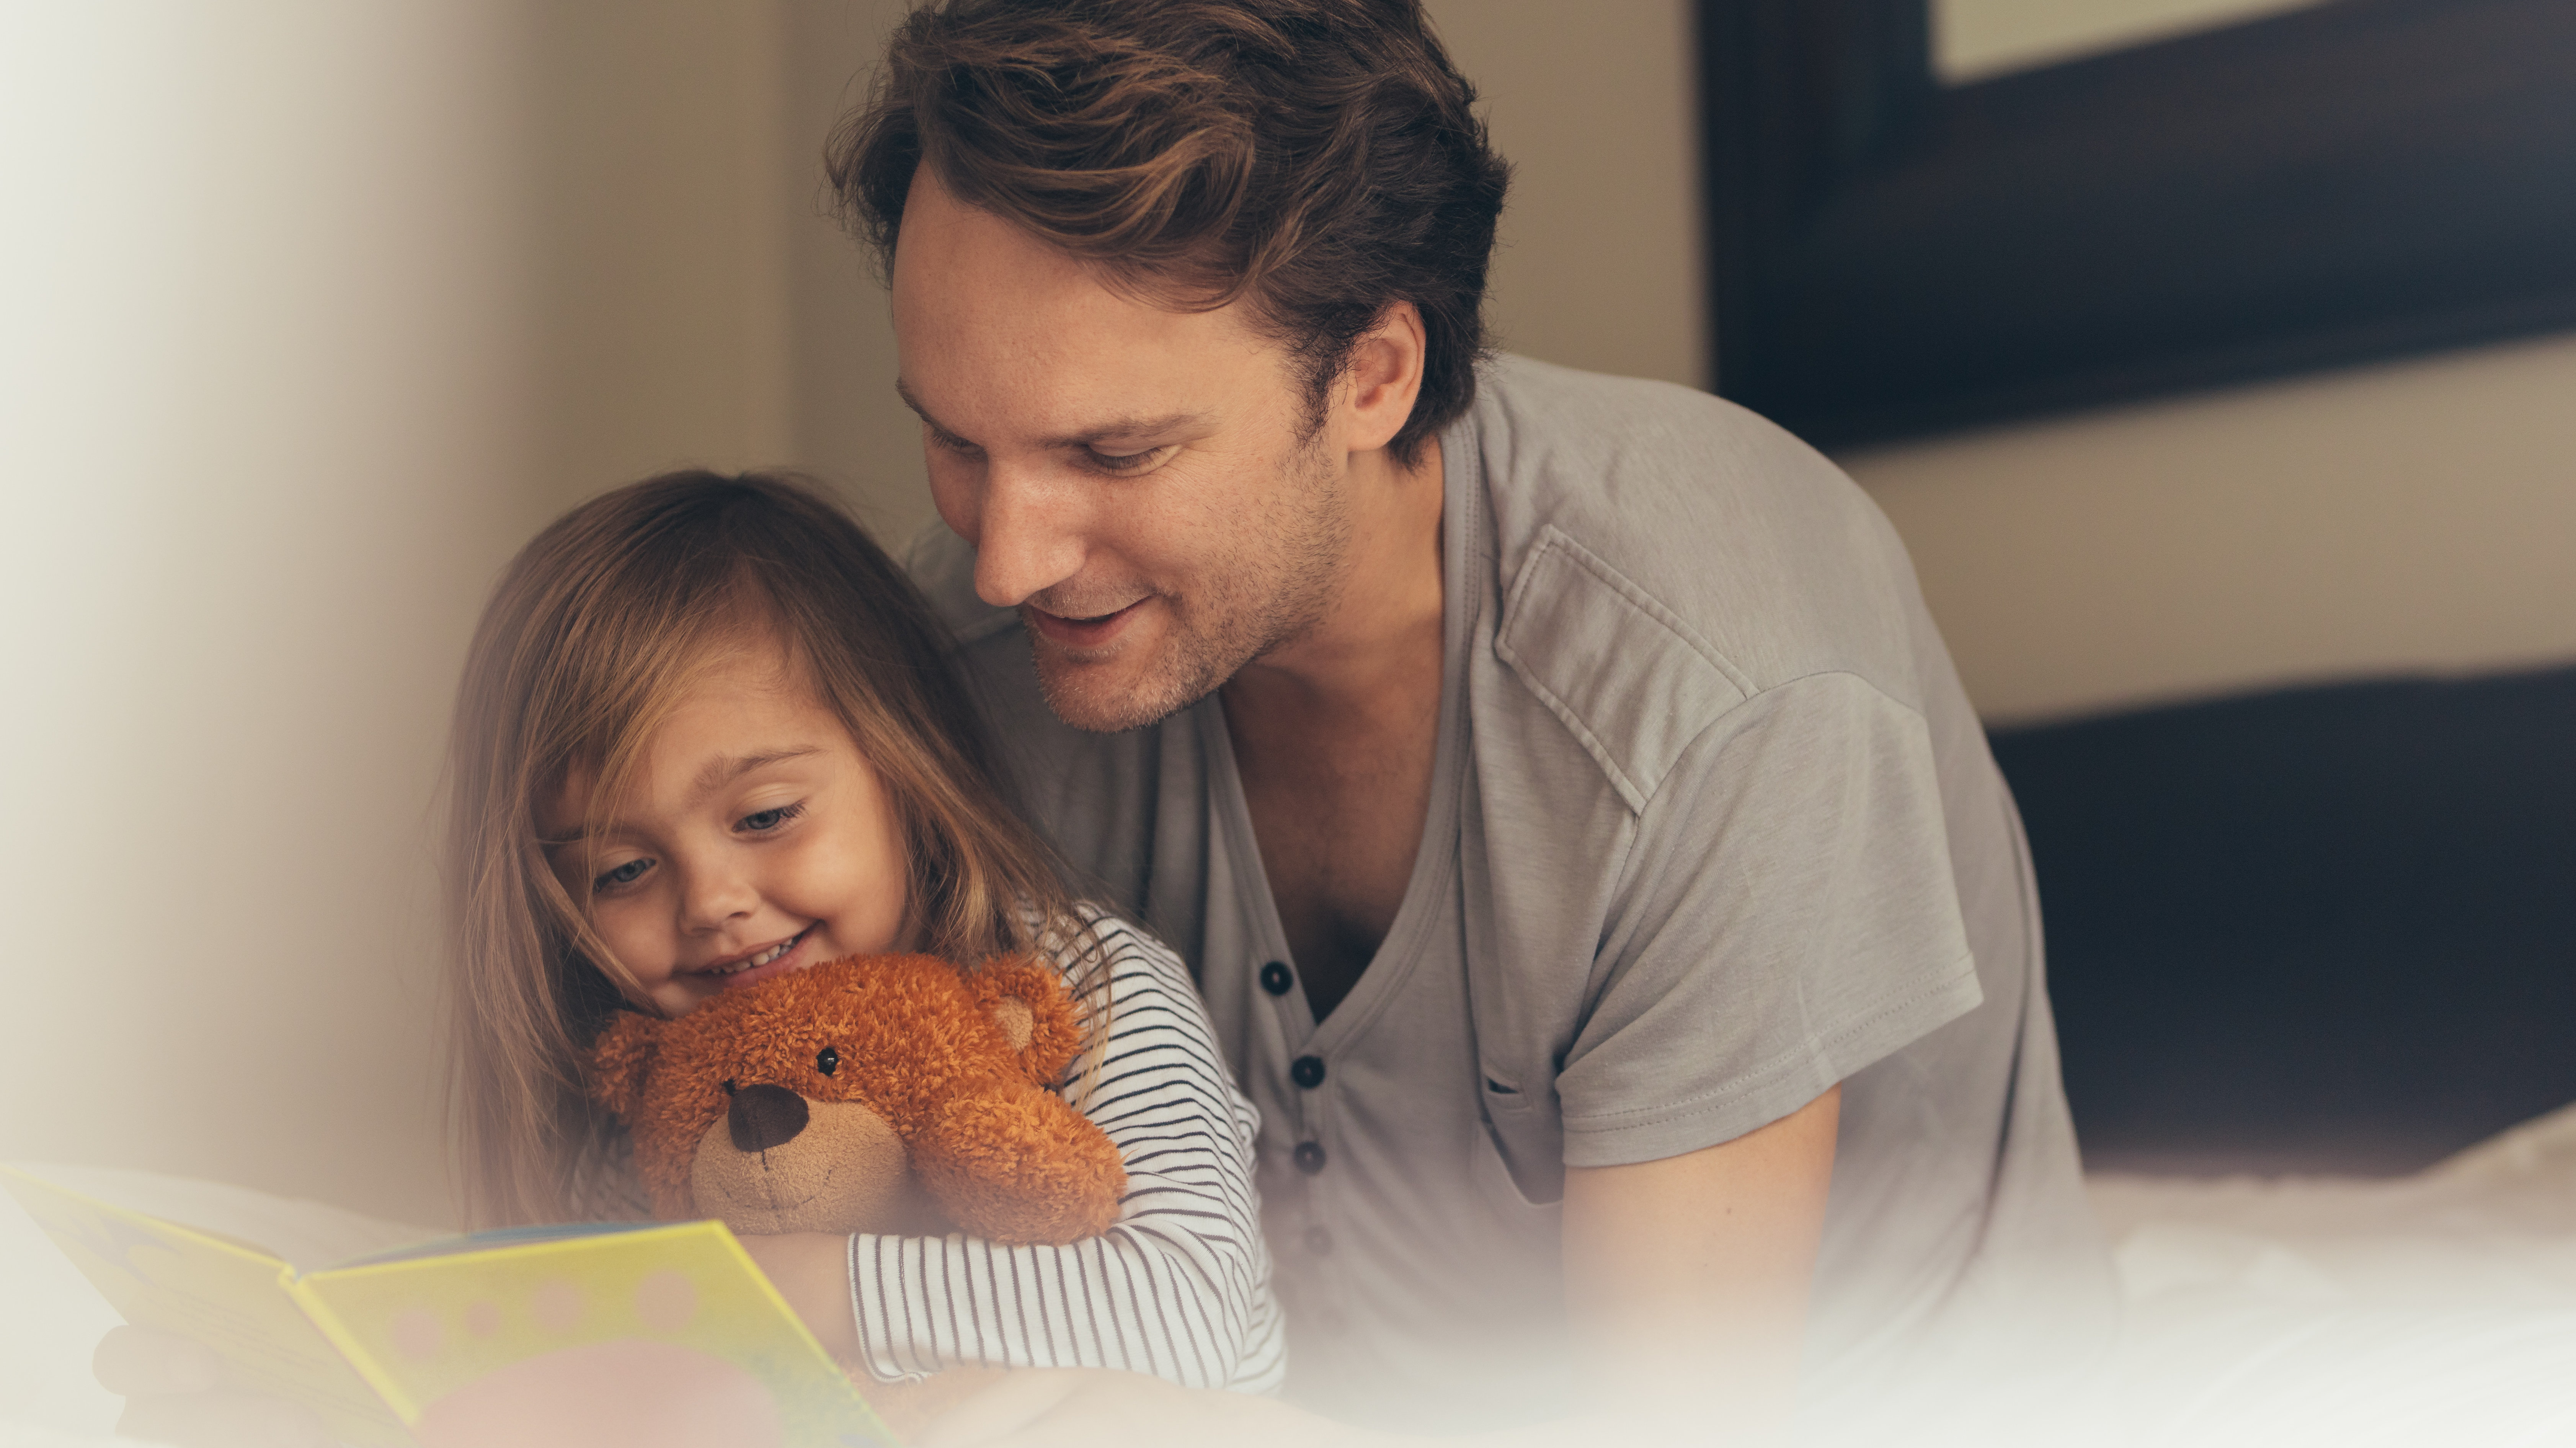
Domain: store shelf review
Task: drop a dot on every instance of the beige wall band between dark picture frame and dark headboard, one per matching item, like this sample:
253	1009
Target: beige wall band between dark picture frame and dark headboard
2412	517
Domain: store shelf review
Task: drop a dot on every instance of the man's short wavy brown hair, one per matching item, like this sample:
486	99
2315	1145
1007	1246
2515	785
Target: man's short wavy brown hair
1318	158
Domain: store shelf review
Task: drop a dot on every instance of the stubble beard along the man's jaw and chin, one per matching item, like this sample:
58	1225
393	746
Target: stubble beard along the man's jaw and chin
1238	609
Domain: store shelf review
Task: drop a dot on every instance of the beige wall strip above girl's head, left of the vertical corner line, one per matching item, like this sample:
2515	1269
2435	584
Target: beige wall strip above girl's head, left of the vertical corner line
661	195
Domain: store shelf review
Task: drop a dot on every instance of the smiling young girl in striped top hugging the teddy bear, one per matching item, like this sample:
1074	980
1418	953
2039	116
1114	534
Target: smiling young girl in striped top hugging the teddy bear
710	736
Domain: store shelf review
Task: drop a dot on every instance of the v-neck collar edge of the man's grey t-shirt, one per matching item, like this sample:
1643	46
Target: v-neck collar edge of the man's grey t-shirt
1436	859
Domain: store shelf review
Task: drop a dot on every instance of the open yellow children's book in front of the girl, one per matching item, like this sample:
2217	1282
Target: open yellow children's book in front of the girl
483	1338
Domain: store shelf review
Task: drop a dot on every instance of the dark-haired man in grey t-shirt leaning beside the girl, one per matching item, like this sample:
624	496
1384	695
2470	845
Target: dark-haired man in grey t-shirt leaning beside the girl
1555	782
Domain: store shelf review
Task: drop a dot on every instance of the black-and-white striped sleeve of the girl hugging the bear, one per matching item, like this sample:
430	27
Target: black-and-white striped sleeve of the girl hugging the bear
1179	1287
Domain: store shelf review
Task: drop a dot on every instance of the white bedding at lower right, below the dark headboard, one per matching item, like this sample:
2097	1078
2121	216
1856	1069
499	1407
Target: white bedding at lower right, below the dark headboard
2430	1310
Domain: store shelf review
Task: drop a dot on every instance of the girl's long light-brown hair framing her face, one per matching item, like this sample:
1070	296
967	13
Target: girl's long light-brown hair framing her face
591	638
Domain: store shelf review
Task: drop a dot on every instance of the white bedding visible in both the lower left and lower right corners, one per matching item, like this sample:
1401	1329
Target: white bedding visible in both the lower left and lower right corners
2436	1310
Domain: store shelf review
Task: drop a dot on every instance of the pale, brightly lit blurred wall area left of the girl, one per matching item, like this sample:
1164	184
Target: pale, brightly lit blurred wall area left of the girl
267	403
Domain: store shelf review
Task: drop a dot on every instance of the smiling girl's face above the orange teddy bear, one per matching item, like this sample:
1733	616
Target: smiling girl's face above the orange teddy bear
756	841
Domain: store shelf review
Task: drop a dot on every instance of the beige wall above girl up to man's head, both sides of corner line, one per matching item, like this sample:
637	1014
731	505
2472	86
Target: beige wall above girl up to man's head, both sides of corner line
702	308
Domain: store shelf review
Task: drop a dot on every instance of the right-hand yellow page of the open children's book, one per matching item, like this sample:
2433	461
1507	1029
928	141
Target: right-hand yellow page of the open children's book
643	1336
